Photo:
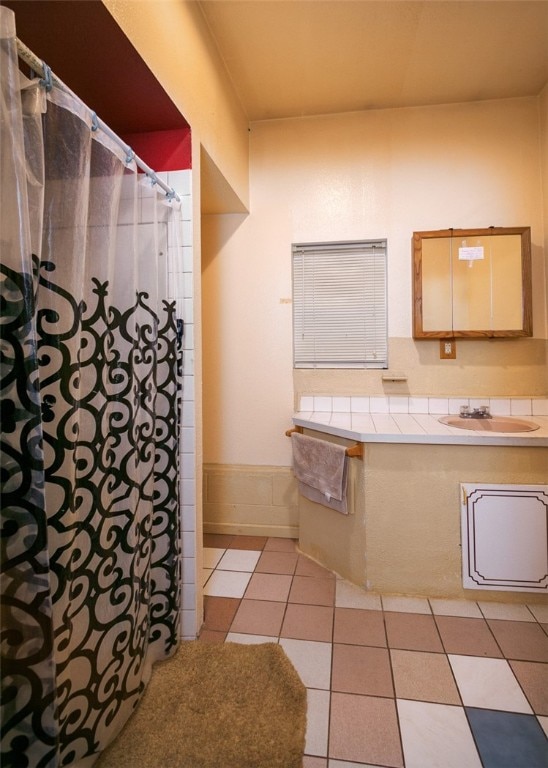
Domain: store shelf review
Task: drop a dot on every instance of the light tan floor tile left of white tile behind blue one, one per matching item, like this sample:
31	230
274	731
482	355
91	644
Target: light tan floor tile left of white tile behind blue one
423	677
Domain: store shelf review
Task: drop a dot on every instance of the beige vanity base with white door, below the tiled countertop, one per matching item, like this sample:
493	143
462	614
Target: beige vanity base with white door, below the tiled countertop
405	536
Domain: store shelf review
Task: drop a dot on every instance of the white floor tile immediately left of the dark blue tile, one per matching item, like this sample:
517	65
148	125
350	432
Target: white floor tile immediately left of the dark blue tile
436	736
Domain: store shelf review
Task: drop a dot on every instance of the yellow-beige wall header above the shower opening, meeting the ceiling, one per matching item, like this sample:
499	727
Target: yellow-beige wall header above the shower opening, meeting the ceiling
174	41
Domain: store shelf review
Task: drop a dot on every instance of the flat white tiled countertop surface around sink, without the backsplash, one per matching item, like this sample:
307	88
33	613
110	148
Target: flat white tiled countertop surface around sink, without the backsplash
414	428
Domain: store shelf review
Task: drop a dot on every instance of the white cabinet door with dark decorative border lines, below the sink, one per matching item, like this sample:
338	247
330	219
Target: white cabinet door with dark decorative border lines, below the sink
504	537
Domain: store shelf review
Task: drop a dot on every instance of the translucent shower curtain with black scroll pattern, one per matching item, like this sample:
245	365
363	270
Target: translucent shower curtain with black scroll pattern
90	364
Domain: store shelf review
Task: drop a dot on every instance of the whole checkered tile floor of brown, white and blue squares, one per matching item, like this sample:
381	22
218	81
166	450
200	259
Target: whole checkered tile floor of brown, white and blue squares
394	682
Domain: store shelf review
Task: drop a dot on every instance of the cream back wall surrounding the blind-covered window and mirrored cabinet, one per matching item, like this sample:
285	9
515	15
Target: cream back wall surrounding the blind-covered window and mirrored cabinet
371	174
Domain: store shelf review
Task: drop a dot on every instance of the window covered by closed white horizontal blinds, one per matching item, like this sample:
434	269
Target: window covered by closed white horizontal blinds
339	305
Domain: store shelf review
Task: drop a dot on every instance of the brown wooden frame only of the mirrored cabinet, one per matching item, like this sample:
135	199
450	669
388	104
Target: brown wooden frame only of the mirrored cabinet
526	328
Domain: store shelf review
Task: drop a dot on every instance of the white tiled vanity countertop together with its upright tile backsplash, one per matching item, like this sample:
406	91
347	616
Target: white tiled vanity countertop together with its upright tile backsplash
398	419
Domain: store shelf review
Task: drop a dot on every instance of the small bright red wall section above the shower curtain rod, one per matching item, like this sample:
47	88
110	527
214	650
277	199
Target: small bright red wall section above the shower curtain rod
162	150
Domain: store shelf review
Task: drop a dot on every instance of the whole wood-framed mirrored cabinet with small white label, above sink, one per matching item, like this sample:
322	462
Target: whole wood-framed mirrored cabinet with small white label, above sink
472	283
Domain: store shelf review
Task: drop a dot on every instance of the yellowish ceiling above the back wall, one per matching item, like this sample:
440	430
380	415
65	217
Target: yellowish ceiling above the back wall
289	58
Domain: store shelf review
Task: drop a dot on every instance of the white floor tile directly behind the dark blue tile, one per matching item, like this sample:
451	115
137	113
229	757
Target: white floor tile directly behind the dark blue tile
488	683
